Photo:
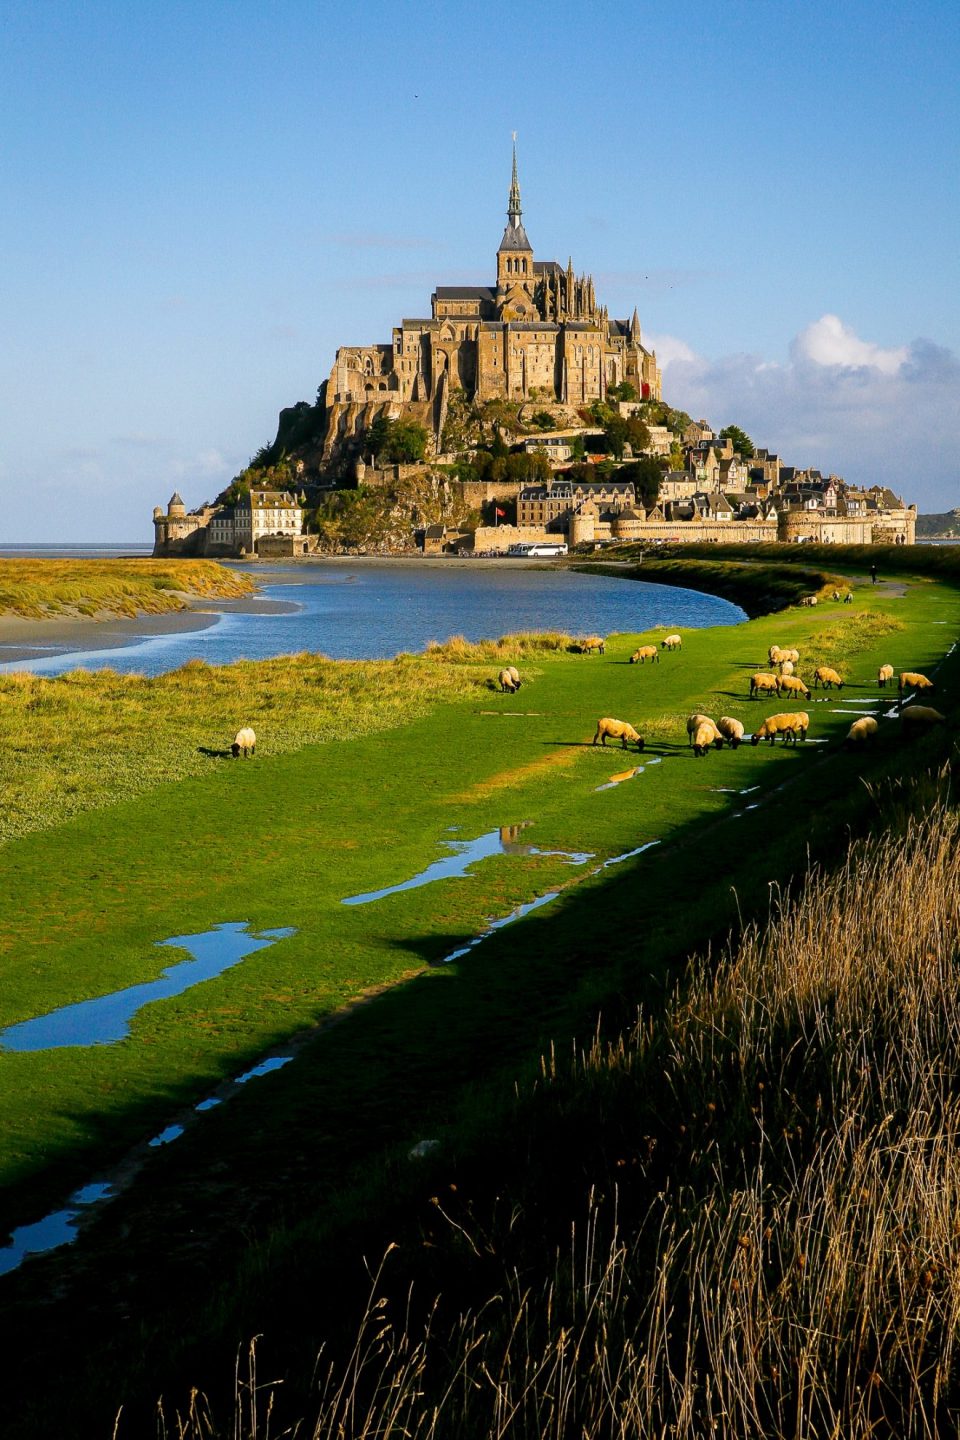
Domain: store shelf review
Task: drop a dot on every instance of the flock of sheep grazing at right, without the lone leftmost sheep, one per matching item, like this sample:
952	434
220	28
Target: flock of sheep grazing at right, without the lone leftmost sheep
705	734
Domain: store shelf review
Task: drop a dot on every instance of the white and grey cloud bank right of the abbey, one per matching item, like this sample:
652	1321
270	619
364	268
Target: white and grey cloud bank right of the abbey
870	414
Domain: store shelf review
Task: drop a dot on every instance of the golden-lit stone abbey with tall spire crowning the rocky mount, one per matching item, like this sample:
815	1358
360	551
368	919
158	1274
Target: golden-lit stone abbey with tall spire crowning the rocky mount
539	333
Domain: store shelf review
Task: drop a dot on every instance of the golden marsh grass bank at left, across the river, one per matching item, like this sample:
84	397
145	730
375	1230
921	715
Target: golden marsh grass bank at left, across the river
41	590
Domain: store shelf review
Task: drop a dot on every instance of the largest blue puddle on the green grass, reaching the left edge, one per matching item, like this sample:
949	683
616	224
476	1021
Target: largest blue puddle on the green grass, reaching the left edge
106	1020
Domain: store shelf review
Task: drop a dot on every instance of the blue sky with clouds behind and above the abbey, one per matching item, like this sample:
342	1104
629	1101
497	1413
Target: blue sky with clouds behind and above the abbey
202	201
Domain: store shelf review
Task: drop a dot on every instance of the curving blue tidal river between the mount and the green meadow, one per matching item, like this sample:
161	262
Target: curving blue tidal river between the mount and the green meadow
371	610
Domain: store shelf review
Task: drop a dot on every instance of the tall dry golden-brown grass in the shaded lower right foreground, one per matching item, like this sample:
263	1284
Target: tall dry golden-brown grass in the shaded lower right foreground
775	1246
